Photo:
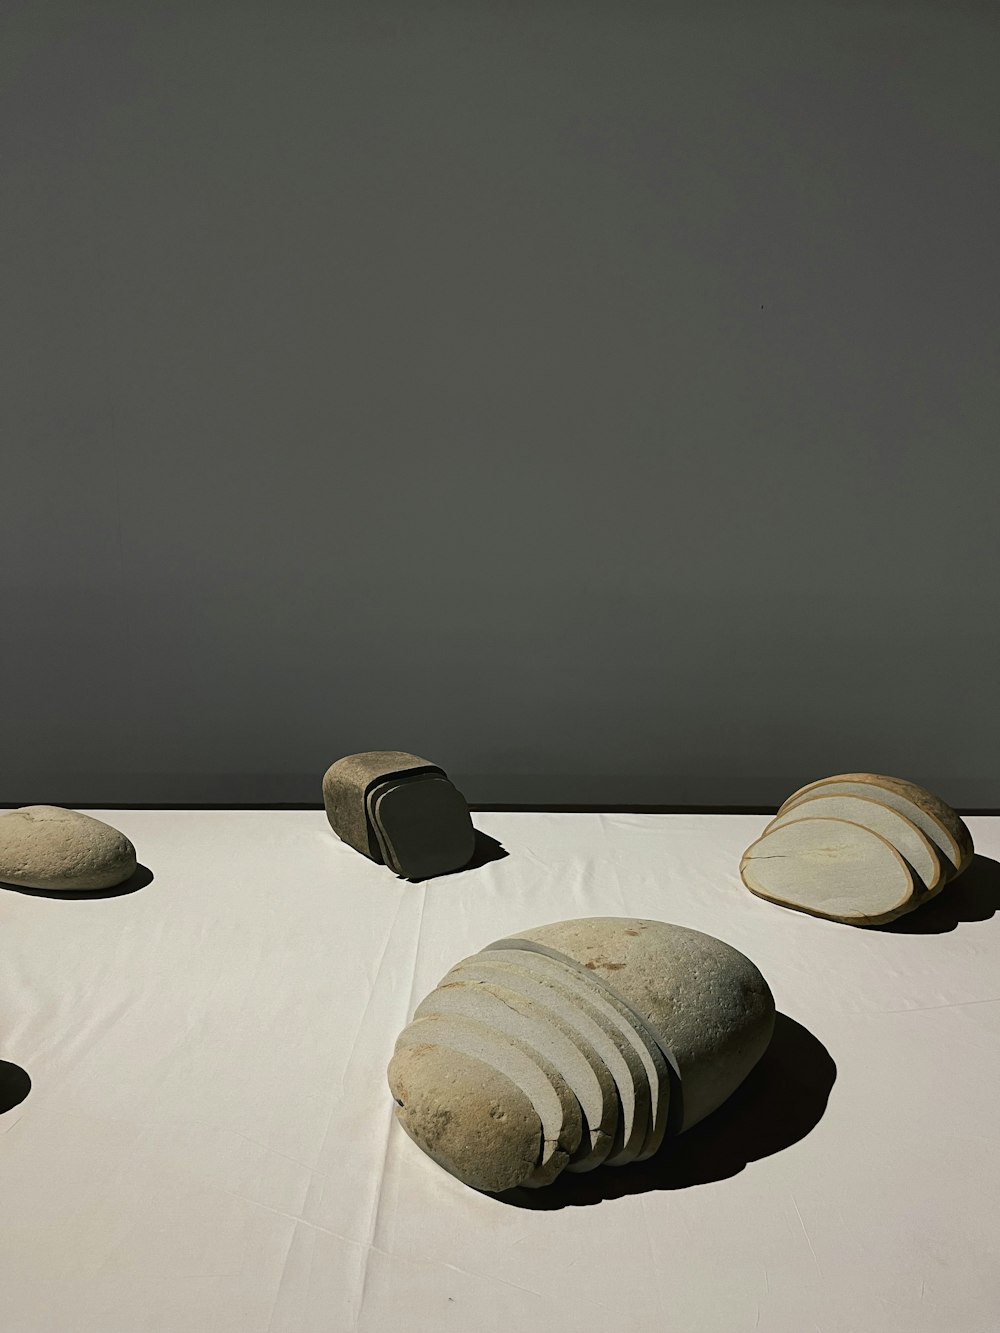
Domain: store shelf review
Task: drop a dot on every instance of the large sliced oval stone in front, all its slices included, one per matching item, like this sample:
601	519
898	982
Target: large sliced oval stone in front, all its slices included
575	1046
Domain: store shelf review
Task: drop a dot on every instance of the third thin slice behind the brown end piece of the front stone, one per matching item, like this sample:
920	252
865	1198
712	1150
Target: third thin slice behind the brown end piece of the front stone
591	1032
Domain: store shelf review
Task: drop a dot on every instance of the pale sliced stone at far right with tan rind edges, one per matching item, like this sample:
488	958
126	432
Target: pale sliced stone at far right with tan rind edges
858	848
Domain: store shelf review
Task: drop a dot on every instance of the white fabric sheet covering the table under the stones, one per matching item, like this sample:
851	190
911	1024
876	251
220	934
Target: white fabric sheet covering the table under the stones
209	1143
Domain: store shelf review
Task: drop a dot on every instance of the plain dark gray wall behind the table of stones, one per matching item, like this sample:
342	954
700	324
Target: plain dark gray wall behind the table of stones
599	399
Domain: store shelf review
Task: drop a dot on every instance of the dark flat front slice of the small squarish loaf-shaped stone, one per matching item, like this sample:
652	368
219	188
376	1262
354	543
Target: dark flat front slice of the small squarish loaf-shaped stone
423	827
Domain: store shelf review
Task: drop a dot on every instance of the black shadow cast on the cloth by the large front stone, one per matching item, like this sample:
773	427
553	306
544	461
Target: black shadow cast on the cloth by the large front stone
779	1103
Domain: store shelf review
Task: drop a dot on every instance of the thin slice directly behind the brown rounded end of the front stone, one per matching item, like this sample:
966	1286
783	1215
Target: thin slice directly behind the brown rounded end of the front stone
555	1106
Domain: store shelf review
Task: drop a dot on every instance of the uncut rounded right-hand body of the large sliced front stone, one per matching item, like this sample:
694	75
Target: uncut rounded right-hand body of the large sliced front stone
709	1007
